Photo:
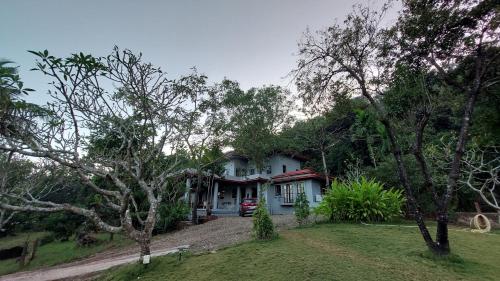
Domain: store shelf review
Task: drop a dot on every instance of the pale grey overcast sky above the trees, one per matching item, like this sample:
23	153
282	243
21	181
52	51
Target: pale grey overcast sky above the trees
250	41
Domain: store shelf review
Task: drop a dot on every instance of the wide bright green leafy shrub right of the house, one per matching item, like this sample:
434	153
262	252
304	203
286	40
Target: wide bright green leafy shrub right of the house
360	200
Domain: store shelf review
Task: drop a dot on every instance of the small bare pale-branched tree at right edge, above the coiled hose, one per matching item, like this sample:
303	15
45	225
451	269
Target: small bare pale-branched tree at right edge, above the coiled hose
482	174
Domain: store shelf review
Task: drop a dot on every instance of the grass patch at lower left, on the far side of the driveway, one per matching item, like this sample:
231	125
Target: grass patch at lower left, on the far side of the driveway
59	252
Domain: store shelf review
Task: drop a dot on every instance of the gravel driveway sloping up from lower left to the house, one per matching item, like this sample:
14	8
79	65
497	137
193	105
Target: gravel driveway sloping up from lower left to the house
209	236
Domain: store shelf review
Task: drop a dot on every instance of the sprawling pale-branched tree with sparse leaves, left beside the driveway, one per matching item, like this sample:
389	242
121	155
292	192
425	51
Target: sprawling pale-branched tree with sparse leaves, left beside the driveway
129	108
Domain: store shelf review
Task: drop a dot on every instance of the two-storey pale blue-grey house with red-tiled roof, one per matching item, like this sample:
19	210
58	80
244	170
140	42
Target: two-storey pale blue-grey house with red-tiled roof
280	180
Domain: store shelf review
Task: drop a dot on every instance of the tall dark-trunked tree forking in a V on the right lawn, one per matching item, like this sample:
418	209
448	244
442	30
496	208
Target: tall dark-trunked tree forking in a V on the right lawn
357	57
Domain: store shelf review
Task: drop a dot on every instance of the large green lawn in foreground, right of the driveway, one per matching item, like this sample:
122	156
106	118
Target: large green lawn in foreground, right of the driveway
333	252
